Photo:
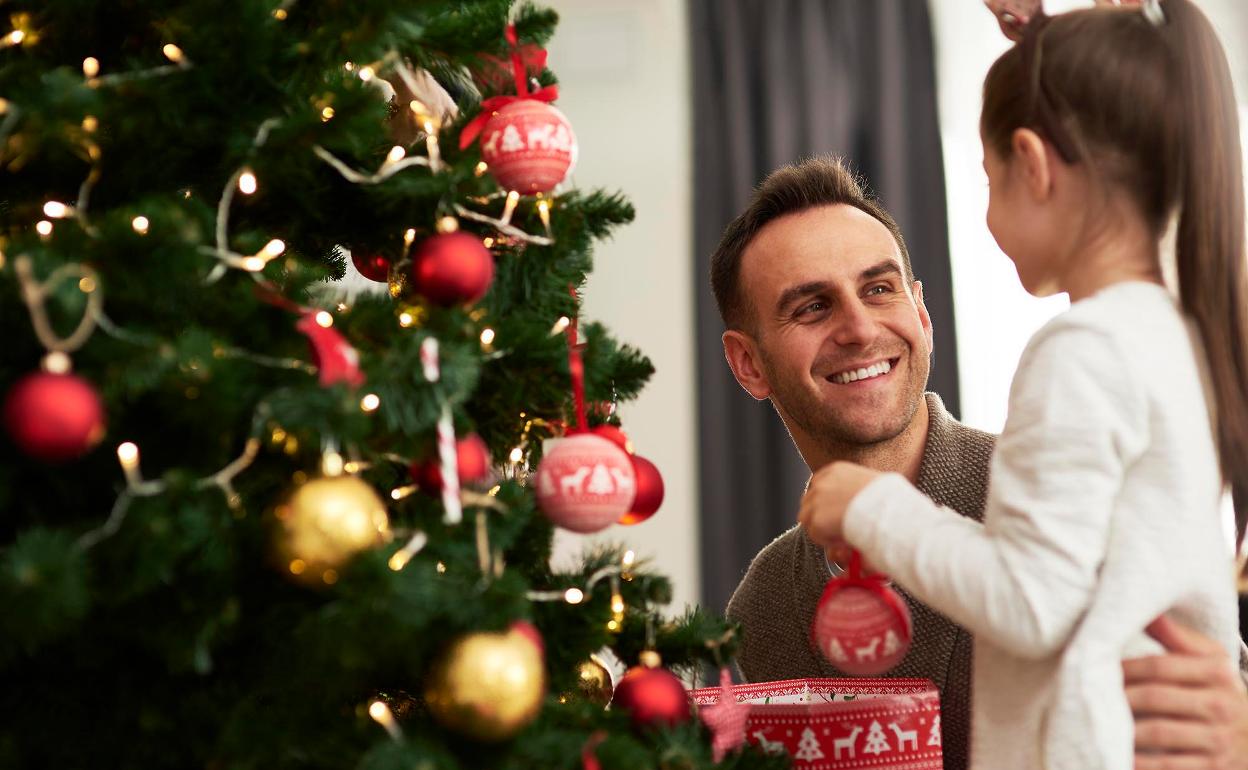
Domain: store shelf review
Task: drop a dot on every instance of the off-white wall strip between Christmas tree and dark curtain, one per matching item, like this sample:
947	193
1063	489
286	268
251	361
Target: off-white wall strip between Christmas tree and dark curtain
625	85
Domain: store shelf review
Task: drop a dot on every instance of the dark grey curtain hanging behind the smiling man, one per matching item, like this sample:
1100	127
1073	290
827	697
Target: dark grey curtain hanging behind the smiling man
776	82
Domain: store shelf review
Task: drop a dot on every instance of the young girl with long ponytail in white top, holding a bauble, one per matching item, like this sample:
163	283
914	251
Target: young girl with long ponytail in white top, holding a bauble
1129	415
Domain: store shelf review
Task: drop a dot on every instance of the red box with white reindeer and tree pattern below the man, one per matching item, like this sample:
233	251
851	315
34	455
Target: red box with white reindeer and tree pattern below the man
839	724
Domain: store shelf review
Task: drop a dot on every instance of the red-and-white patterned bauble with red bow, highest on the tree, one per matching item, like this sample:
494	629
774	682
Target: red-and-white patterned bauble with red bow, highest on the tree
529	147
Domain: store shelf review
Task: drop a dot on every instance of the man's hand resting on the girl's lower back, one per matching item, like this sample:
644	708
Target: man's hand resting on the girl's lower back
1190	704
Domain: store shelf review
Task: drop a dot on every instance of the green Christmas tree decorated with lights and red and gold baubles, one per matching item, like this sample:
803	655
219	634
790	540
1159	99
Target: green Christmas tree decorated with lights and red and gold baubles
259	517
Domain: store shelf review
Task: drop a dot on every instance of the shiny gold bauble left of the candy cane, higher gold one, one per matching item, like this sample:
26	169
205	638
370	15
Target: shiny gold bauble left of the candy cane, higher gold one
326	522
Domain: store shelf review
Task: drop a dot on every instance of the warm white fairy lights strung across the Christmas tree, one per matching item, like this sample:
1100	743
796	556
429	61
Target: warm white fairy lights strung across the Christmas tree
244	182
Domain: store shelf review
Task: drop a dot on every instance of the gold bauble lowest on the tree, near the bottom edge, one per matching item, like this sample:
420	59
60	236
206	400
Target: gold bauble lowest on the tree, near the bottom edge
487	686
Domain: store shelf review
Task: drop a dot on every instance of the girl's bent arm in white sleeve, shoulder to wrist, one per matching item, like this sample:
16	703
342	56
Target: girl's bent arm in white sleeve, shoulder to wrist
1024	578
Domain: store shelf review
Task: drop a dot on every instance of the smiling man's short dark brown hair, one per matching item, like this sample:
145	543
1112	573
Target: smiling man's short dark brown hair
818	182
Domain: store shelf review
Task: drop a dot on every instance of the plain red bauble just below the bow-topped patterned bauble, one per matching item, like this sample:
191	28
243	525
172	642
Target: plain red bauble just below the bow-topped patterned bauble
452	269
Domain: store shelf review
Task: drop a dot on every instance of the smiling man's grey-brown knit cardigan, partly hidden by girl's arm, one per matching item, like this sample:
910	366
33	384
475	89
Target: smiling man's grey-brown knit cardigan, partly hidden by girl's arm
777	600
